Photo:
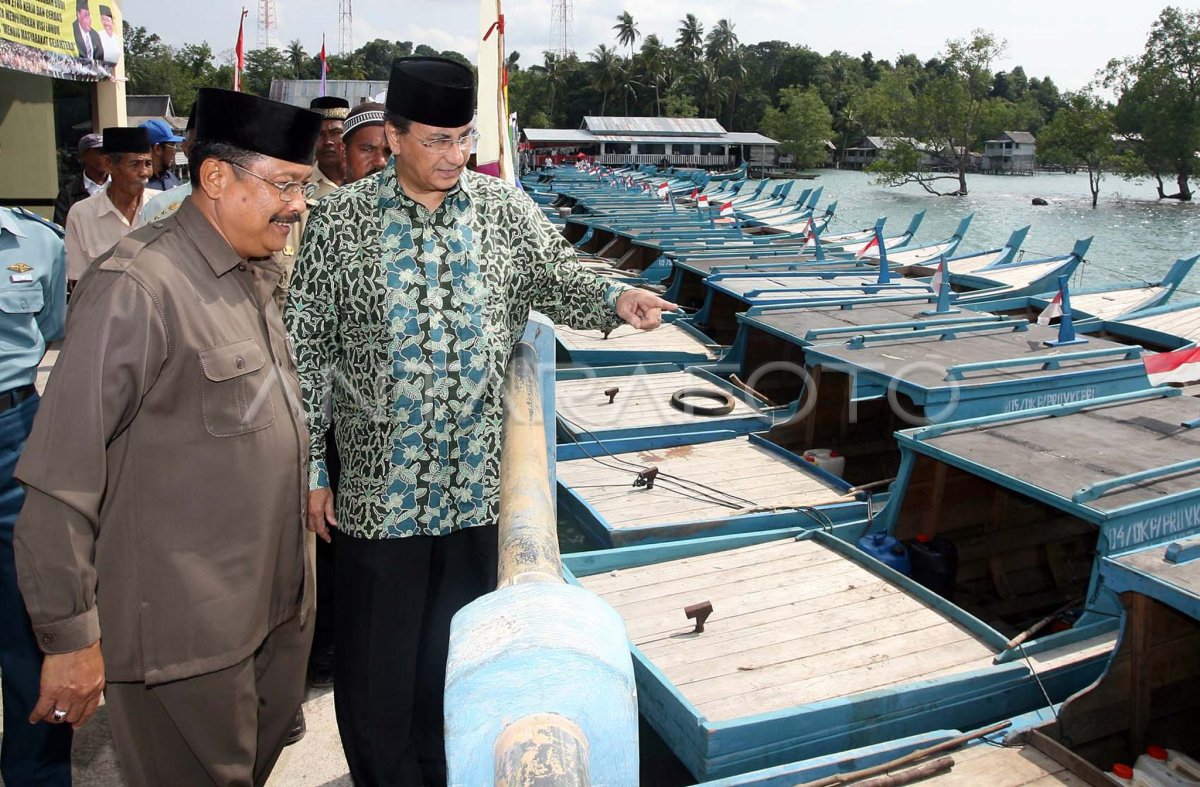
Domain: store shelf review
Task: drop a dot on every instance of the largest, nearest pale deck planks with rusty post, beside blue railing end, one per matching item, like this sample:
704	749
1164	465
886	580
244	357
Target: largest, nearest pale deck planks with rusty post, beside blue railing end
753	660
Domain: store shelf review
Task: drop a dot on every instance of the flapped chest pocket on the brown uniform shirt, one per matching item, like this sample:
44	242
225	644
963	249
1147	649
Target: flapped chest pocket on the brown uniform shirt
236	394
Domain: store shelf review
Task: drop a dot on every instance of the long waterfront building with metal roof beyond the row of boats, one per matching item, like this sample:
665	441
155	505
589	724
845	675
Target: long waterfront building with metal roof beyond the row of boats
679	142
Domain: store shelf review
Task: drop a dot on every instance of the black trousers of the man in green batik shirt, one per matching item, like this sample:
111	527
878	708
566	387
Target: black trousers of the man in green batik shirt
397	598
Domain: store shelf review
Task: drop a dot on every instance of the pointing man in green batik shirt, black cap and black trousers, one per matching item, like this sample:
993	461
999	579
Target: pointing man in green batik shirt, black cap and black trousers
411	290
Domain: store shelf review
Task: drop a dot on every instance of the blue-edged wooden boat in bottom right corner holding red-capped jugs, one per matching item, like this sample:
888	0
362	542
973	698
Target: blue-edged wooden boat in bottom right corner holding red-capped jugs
1148	695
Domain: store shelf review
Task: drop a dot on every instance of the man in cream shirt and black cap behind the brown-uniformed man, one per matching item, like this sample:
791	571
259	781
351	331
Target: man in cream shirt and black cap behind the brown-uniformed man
95	225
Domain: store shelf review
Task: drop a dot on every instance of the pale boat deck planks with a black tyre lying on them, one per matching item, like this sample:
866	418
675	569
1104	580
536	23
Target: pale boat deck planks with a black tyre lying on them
645	400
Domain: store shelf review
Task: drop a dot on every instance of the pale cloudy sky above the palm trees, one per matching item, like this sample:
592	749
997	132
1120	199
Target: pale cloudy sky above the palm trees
1065	40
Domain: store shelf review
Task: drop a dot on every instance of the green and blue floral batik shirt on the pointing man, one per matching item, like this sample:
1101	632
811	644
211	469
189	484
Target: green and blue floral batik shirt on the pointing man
405	320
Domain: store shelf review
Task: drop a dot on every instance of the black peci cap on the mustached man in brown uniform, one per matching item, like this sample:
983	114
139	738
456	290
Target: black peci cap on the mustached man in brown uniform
259	125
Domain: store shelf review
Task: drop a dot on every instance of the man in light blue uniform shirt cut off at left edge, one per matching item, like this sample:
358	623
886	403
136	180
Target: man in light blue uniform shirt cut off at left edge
33	311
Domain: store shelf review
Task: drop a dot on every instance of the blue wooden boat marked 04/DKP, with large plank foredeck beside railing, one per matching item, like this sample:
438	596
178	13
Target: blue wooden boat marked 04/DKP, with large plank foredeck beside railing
814	647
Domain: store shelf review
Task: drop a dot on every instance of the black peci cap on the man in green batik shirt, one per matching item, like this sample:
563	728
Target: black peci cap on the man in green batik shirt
433	91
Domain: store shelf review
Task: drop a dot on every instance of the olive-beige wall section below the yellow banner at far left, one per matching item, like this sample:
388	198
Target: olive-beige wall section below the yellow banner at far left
28	166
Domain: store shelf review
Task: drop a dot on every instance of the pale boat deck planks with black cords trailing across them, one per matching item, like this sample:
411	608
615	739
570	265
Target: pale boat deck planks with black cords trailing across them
735	467
